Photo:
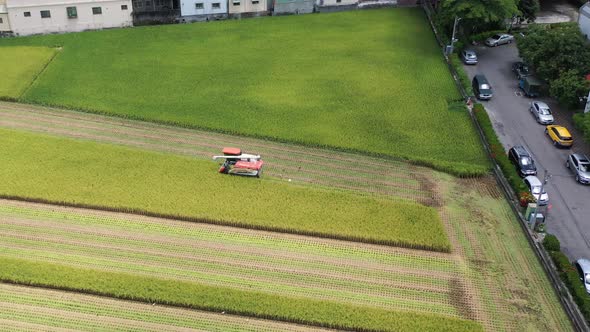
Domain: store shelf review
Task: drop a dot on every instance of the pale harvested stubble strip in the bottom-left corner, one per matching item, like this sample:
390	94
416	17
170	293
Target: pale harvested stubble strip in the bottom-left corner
50	310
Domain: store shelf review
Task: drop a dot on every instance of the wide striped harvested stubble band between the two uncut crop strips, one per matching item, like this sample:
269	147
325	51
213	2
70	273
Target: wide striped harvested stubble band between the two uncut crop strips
298	266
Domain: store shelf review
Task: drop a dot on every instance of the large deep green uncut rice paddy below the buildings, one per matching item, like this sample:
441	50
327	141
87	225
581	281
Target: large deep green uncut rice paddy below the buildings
371	81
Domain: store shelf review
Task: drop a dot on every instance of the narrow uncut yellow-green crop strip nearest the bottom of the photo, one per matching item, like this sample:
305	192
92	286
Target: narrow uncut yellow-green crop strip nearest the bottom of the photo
184	294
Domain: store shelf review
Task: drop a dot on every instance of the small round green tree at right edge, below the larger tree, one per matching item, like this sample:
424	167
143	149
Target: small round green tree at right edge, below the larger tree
569	88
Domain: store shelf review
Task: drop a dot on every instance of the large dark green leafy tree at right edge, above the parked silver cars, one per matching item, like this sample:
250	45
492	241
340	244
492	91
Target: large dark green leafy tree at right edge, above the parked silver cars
555	49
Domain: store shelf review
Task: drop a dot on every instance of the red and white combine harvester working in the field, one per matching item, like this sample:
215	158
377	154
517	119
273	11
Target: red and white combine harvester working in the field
238	163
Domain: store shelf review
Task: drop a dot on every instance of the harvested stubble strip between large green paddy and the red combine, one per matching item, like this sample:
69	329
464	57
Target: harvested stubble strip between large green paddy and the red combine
283	161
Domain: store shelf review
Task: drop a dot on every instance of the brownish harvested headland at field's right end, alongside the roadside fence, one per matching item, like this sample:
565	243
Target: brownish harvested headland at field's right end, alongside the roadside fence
512	288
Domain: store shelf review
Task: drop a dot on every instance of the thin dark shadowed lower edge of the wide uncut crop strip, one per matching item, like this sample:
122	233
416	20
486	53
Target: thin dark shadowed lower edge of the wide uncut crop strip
221	222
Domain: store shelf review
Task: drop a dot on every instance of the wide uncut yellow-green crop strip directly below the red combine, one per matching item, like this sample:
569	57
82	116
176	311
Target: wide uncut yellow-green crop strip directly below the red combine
78	173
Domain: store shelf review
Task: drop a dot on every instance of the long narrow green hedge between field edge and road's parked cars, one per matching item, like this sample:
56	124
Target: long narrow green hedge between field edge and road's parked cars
497	151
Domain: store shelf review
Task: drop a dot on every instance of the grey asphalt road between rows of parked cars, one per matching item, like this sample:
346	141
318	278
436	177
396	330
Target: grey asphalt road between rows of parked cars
568	215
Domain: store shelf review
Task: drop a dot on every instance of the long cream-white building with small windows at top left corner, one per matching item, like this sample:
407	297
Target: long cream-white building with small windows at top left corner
28	17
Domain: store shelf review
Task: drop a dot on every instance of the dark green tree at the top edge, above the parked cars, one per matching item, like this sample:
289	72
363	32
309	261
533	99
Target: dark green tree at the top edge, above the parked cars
478	15
